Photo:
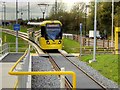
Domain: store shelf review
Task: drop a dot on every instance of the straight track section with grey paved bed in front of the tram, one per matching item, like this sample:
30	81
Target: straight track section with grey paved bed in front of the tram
84	81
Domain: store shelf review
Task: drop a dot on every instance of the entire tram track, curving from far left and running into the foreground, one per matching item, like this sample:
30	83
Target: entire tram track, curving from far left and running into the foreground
58	60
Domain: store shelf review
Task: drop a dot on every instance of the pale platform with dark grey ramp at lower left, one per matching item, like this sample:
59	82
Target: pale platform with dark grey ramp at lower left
6	63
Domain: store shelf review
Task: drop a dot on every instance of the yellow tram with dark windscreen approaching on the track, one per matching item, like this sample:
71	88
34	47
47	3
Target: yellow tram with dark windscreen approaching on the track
51	34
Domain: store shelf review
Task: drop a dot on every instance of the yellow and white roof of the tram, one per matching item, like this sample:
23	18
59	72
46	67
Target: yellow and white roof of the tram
43	23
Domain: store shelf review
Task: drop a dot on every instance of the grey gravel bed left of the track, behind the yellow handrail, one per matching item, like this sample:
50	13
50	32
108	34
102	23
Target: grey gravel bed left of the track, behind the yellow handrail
43	64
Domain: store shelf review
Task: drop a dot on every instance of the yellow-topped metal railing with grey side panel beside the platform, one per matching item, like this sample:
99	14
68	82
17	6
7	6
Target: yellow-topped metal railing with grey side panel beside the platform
24	72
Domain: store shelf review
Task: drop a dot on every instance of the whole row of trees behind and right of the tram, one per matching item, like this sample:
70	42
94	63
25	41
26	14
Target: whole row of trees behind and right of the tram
71	19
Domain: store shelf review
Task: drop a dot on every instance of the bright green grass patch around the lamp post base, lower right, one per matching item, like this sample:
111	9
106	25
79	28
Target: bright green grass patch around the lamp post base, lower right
107	65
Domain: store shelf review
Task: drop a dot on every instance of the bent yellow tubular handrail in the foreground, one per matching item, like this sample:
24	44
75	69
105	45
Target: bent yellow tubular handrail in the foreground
11	72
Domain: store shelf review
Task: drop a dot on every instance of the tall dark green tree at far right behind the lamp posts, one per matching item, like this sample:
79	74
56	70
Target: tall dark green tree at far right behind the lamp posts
104	16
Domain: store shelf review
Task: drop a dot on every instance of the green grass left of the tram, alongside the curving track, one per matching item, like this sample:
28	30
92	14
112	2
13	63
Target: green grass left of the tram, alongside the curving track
11	39
